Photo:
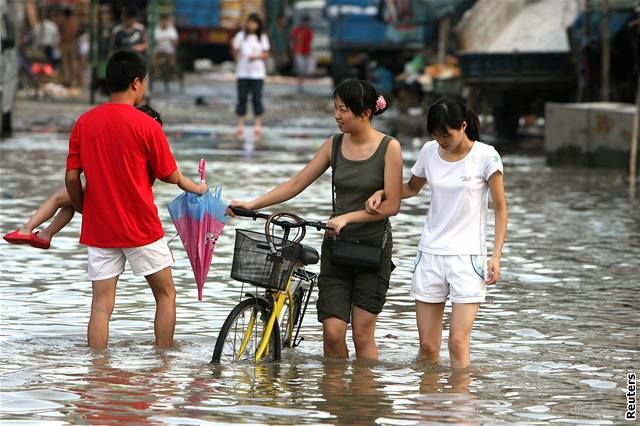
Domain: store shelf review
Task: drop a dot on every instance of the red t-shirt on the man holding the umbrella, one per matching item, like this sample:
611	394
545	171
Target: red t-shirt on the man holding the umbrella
121	151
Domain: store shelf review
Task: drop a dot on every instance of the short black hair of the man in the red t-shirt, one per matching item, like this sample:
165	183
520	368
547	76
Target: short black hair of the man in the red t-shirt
123	67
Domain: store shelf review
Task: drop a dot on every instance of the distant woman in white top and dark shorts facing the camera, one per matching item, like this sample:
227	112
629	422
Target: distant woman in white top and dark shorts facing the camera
250	50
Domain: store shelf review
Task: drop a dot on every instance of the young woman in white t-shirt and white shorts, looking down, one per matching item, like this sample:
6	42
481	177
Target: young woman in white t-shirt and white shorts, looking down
452	256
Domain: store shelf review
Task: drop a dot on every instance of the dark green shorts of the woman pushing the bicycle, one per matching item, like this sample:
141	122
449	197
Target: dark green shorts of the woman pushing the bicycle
341	287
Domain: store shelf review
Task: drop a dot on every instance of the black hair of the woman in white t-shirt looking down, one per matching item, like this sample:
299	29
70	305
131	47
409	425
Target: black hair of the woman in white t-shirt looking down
449	113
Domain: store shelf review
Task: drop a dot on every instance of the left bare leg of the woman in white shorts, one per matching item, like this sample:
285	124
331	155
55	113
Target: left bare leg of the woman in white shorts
429	318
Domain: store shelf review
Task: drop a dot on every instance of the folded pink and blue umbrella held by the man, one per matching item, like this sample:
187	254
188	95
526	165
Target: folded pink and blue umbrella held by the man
199	220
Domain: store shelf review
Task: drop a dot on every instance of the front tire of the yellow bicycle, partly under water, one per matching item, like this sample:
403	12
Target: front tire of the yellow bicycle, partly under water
230	336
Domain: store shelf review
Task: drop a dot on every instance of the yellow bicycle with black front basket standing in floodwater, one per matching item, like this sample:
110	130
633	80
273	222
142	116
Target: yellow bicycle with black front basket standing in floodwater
259	326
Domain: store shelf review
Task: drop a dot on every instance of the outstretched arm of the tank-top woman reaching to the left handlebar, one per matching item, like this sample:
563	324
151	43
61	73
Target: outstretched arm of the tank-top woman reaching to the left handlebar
281	193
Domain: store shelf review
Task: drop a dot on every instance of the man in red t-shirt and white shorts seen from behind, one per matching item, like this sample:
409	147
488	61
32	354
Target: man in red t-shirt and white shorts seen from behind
121	152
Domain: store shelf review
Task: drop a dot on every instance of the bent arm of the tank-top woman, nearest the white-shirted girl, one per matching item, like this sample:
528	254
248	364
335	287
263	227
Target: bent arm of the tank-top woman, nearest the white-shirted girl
392	187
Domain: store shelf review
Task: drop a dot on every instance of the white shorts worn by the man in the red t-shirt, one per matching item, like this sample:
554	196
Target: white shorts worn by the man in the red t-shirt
107	263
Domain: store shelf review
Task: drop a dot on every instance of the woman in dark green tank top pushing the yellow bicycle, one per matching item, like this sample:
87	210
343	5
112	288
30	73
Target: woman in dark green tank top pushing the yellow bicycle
366	160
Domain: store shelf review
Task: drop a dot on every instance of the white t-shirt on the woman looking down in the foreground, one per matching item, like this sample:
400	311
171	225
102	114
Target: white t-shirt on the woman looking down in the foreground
457	219
